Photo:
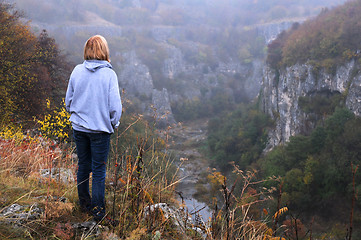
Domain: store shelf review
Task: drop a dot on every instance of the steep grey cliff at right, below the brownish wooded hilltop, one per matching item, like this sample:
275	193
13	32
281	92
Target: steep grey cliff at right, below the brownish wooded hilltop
282	90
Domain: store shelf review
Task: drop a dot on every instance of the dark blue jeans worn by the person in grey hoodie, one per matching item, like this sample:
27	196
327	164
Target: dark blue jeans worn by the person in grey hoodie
92	150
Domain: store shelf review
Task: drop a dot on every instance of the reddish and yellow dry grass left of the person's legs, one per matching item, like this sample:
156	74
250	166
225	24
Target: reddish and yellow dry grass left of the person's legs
21	183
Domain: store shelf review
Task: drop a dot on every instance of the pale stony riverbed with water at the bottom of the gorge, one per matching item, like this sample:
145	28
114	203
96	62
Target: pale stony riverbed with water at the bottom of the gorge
185	140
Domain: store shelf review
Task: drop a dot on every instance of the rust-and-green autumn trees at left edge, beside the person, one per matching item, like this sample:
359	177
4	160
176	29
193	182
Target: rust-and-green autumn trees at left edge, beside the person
30	69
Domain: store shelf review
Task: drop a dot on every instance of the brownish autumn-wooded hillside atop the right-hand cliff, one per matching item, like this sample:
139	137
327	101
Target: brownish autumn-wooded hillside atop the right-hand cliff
331	39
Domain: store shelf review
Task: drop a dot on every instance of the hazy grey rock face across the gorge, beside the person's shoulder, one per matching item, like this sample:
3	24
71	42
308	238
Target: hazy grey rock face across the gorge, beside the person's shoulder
186	80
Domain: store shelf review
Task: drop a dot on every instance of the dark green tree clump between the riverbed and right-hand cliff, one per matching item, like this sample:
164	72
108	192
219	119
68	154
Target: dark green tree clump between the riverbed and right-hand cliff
238	137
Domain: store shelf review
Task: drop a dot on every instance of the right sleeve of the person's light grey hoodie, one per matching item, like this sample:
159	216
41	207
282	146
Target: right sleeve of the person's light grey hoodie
115	103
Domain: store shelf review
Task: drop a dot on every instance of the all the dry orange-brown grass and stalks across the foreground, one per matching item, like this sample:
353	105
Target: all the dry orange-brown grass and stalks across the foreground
137	177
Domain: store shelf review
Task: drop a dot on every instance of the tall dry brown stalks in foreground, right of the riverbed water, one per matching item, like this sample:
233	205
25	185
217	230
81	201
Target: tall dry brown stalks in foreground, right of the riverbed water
236	219
